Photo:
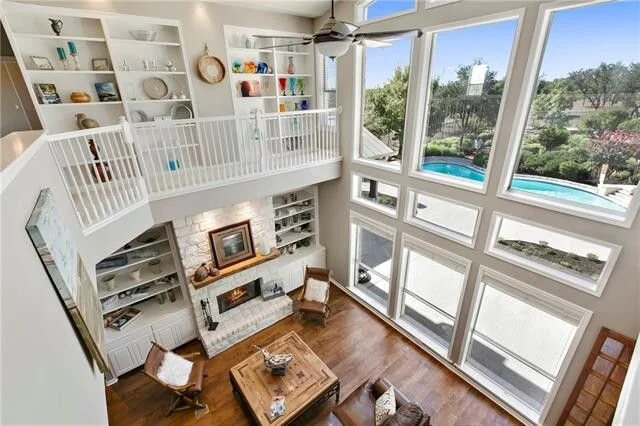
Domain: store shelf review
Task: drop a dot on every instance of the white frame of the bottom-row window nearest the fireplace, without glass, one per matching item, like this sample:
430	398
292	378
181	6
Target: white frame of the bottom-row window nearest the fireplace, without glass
382	230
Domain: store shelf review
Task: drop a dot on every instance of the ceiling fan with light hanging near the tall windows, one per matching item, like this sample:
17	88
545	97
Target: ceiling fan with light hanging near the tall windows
335	37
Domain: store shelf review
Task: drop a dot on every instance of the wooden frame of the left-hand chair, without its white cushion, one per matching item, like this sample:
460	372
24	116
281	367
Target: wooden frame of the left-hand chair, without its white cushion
185	396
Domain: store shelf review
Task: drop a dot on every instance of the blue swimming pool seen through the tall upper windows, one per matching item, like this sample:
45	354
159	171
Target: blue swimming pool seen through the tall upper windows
549	189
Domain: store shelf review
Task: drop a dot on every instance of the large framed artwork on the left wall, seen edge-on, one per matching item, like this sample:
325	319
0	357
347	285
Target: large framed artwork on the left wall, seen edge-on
68	274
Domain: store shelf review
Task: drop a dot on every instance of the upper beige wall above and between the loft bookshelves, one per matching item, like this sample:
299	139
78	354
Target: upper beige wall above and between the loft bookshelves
202	22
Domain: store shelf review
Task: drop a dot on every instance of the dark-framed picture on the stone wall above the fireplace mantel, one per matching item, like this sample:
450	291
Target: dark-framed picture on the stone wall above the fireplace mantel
232	244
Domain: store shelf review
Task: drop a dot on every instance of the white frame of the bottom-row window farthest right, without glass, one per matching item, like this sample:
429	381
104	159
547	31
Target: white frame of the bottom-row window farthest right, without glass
541	300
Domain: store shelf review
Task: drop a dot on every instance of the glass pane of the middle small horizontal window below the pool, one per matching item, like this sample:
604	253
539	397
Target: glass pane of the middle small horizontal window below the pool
436	214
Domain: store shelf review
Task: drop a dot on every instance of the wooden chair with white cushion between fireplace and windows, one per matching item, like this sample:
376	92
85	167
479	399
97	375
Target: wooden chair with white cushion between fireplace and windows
314	300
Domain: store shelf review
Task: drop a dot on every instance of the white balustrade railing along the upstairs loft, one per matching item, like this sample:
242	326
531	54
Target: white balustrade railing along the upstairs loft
110	170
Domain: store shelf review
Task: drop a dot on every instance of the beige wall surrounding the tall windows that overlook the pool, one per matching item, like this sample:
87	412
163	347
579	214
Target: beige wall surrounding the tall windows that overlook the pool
619	306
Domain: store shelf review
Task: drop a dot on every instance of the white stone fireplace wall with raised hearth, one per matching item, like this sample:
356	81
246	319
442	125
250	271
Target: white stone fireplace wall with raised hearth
193	243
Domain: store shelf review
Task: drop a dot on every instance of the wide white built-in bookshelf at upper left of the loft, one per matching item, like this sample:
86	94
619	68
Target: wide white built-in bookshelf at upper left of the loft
99	35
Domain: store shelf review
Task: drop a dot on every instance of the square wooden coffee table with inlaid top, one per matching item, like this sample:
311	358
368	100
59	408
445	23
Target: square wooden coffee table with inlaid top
307	382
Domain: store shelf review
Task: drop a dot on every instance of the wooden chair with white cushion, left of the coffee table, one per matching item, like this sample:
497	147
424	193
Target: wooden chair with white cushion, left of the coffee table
186	394
